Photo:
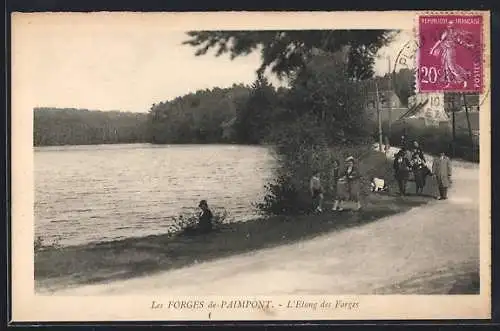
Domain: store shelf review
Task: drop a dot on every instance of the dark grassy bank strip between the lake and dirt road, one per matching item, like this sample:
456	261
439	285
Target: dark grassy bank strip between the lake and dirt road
57	268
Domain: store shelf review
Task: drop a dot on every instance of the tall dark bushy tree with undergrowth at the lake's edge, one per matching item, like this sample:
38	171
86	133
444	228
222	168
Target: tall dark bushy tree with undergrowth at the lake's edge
324	120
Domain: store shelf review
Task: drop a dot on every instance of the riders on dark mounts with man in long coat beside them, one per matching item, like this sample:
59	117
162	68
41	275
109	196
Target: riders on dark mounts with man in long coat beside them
411	161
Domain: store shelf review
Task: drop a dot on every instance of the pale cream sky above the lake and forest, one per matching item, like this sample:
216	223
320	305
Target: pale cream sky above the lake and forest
125	67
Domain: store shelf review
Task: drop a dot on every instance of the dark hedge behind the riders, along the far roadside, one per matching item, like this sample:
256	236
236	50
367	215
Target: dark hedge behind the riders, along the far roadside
433	140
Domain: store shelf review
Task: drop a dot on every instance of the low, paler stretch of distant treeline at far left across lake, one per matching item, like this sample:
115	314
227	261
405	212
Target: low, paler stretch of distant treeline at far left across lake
53	126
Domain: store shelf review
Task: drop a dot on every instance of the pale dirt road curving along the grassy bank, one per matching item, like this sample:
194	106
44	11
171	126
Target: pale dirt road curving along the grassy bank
426	250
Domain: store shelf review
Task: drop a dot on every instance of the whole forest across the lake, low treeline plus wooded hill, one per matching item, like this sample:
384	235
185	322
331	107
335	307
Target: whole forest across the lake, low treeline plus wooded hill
206	116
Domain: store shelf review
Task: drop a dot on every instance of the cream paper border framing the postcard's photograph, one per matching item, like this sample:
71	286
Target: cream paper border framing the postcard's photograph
26	306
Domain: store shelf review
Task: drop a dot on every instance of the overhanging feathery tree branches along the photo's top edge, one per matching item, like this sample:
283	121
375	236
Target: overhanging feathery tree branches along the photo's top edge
286	52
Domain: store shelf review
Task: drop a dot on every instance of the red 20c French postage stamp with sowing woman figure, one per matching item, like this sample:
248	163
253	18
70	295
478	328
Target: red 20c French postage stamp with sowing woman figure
450	54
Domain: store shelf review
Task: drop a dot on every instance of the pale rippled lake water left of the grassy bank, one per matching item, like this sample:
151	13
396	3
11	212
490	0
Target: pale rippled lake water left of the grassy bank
107	192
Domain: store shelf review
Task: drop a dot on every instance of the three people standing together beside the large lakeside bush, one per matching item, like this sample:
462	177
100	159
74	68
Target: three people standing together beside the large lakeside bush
345	185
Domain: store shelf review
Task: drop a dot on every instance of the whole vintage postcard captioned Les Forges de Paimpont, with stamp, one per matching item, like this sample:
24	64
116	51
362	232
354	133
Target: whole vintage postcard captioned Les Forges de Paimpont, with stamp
250	166
